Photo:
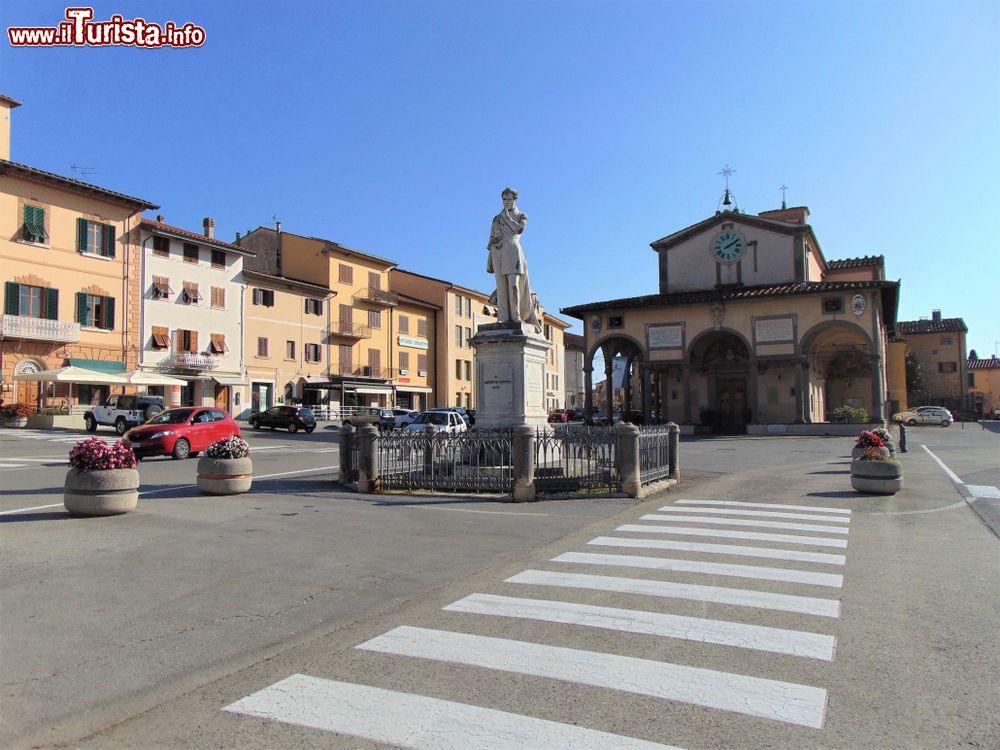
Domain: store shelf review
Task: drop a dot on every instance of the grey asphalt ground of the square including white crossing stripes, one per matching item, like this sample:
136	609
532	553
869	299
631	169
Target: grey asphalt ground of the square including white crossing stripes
138	631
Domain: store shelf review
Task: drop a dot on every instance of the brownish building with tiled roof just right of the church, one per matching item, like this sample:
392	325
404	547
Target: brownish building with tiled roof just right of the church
939	345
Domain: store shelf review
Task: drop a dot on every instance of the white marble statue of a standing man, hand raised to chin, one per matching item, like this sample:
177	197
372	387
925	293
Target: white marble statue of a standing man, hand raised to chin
515	302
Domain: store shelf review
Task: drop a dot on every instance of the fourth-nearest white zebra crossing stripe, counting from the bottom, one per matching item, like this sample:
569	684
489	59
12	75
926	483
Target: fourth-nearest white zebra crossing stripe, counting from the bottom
807	605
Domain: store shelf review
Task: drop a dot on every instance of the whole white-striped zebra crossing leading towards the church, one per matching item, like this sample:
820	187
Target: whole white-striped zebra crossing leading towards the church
659	571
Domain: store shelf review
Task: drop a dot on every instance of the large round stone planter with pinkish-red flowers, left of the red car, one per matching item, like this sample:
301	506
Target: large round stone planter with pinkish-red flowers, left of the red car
103	480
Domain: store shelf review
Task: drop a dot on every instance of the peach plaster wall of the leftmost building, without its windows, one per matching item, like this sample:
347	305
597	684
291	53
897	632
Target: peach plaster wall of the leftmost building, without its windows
57	264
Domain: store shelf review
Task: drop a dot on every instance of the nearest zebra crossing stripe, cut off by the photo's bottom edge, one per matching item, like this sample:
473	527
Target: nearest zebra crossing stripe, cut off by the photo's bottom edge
413	721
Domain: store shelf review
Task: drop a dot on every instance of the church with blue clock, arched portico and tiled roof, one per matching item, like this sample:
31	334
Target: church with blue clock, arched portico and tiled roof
752	327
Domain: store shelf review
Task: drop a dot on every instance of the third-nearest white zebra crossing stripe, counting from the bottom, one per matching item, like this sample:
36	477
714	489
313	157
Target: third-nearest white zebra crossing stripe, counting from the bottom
721	632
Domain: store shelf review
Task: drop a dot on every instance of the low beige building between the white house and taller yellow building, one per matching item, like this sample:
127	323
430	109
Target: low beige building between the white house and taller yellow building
286	341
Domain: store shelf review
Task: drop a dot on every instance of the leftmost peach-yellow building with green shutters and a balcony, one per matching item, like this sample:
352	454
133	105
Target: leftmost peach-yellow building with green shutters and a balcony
70	276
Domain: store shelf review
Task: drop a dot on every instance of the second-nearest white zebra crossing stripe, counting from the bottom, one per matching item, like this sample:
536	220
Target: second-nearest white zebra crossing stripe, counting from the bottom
752	696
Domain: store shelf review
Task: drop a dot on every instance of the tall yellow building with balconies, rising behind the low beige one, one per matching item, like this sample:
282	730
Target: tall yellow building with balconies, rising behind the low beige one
358	328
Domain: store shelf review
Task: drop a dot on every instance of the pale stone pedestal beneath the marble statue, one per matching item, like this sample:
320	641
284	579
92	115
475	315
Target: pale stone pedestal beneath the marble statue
510	376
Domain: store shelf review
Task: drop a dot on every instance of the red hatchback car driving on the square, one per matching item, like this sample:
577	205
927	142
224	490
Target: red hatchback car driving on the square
181	432
